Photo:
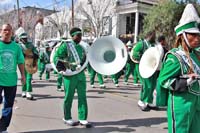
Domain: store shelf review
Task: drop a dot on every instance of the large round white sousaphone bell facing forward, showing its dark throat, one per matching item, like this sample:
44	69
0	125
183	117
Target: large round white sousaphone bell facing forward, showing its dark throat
107	55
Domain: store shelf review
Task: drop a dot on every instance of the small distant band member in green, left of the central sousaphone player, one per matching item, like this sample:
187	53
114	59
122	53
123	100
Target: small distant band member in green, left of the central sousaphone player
44	59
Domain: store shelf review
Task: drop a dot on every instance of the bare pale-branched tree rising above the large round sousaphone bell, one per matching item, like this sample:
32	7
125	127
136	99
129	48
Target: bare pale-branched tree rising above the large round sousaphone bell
98	14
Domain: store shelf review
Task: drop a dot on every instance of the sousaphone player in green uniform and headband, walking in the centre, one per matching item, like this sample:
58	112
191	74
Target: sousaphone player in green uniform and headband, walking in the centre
73	52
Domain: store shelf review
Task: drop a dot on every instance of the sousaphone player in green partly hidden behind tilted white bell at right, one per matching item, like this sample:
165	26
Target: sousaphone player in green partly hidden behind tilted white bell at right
148	84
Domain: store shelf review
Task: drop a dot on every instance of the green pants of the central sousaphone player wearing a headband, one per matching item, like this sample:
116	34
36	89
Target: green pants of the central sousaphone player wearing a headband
70	86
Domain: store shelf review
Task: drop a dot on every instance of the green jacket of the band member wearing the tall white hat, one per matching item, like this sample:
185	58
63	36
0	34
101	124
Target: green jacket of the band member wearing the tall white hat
173	67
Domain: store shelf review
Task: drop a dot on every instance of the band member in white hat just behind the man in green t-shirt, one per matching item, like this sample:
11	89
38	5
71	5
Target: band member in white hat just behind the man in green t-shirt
27	46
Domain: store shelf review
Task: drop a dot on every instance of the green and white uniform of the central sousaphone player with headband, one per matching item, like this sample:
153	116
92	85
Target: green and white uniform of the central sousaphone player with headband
71	83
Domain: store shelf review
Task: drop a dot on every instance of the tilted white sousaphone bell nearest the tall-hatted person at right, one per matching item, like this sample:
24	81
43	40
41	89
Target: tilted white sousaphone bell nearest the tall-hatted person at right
151	61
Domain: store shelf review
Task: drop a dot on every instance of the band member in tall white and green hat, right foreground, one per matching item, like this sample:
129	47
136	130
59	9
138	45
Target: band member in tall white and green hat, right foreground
183	103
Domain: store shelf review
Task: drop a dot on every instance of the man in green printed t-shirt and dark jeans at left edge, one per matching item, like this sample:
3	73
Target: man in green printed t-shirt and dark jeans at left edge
10	57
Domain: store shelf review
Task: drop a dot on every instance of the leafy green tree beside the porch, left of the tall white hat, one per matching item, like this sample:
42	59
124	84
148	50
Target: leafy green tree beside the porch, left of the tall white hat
163	18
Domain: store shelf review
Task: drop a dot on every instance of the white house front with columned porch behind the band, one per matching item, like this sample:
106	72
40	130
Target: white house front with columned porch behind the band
129	16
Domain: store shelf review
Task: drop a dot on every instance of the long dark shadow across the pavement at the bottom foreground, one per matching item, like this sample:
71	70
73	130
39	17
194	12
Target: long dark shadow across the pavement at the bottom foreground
111	126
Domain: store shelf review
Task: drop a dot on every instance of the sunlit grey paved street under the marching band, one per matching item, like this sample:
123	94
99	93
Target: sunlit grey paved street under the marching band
111	110
